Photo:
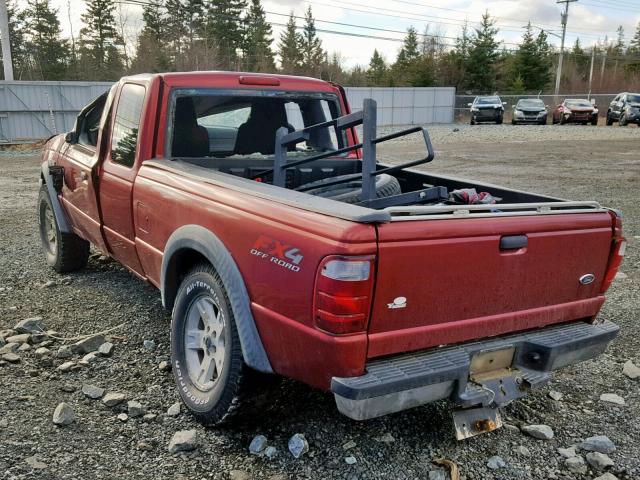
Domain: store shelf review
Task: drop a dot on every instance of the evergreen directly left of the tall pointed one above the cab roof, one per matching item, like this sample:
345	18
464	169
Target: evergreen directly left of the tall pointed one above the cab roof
225	30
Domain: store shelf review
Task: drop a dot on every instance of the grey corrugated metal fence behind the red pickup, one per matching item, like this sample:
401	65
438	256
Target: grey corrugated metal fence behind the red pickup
36	110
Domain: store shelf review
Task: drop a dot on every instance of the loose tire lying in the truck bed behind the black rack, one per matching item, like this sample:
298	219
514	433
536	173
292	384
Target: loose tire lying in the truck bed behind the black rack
351	191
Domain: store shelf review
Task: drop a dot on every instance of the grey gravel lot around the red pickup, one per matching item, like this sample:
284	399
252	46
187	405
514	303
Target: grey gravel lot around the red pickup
576	162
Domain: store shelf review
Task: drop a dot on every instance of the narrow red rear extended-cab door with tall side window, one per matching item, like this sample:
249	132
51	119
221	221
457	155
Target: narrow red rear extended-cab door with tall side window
118	173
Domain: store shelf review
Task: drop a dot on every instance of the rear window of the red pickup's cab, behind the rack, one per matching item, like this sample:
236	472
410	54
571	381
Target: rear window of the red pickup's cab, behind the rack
210	123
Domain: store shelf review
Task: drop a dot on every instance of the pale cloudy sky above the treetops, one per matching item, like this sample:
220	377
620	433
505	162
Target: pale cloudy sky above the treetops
590	20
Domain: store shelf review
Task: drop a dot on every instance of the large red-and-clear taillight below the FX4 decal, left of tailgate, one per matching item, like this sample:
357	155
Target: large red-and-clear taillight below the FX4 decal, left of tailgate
344	286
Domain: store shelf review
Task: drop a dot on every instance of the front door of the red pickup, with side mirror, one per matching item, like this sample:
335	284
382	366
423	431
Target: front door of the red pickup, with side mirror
78	156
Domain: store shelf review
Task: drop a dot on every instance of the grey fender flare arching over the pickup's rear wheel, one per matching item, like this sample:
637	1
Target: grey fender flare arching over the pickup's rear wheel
206	243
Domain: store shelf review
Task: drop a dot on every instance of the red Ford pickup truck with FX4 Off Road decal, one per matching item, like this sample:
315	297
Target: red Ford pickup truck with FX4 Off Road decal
281	245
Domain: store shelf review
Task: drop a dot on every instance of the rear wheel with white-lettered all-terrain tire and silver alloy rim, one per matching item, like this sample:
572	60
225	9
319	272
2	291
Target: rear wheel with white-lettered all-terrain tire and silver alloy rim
202	344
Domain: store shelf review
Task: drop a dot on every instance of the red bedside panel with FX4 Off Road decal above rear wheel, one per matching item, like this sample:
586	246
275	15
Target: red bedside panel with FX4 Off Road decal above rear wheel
250	227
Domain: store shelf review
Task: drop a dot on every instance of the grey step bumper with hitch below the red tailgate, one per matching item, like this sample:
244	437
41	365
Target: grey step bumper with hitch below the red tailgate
401	382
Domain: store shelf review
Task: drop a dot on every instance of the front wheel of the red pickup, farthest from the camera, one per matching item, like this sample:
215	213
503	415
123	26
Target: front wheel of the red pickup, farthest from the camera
65	252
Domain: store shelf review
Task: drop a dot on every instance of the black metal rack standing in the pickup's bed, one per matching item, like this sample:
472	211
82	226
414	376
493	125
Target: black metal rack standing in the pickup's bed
367	117
